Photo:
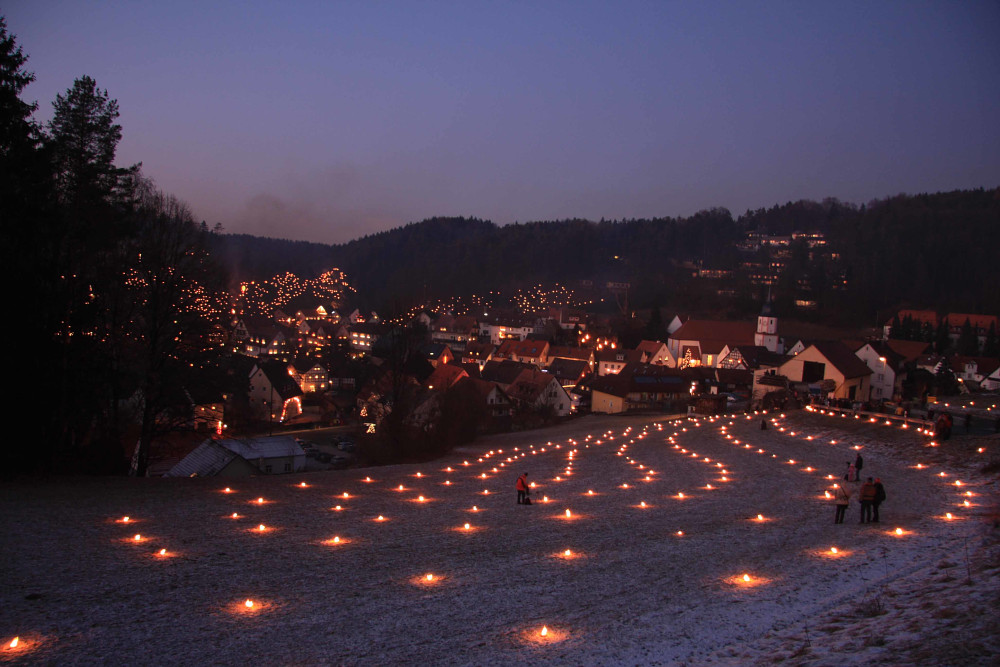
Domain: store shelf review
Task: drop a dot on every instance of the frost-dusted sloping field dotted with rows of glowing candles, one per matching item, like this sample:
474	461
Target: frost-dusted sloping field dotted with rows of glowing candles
655	584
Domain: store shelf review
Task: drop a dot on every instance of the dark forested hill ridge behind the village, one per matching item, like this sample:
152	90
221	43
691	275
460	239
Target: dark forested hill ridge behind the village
936	251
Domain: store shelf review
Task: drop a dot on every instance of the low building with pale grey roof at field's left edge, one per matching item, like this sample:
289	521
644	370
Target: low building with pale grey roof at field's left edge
231	457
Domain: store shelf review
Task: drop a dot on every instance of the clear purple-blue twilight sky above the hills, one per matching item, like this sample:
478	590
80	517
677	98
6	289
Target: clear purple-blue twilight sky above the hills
325	121
